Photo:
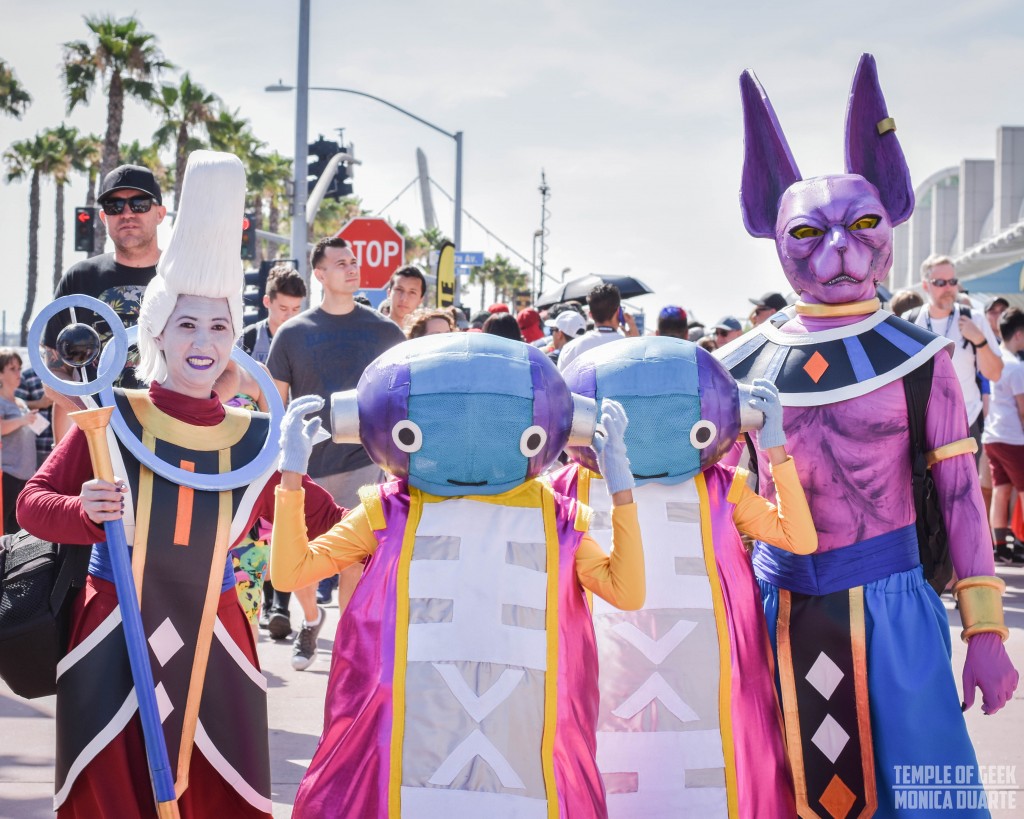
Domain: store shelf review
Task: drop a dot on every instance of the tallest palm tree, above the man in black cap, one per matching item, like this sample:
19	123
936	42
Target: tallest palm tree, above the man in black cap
127	62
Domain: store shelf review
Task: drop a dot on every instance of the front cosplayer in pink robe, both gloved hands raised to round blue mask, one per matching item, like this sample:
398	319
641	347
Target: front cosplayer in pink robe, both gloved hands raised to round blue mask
464	678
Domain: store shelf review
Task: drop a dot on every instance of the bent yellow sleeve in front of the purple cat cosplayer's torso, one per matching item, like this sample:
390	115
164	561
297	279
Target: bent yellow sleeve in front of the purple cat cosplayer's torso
788	526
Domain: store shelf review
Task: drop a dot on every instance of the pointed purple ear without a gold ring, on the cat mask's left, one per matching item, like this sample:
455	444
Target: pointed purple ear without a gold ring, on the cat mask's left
769	165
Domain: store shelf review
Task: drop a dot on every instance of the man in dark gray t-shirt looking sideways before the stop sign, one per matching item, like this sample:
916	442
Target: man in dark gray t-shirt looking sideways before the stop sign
318	353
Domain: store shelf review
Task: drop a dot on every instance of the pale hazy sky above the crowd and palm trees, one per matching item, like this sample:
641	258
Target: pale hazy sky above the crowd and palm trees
632	110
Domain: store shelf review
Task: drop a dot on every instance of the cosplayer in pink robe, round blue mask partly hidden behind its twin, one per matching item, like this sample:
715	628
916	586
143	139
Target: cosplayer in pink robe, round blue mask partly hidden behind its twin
690	723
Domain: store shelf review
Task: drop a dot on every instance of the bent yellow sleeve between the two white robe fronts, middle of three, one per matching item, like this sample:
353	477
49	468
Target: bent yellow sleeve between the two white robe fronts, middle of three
618	578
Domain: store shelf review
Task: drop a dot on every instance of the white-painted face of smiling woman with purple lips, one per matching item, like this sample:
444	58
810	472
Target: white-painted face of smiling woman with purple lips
197	343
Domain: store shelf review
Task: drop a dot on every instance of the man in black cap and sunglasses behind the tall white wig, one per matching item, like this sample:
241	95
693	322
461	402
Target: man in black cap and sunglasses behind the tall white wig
132	207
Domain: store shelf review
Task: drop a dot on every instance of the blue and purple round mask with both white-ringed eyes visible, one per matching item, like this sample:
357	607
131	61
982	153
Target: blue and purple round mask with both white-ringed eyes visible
463	414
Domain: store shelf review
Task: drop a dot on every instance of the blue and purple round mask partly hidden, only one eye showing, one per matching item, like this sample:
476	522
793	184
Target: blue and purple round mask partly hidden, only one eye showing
684	407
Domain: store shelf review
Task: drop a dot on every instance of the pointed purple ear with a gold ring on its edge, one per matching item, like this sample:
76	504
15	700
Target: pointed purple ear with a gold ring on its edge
872	148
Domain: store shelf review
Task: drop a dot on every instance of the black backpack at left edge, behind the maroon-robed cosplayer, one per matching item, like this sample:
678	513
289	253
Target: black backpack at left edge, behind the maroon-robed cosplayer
38	584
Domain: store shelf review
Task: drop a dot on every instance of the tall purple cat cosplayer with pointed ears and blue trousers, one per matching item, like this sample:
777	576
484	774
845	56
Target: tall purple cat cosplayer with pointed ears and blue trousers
862	639
